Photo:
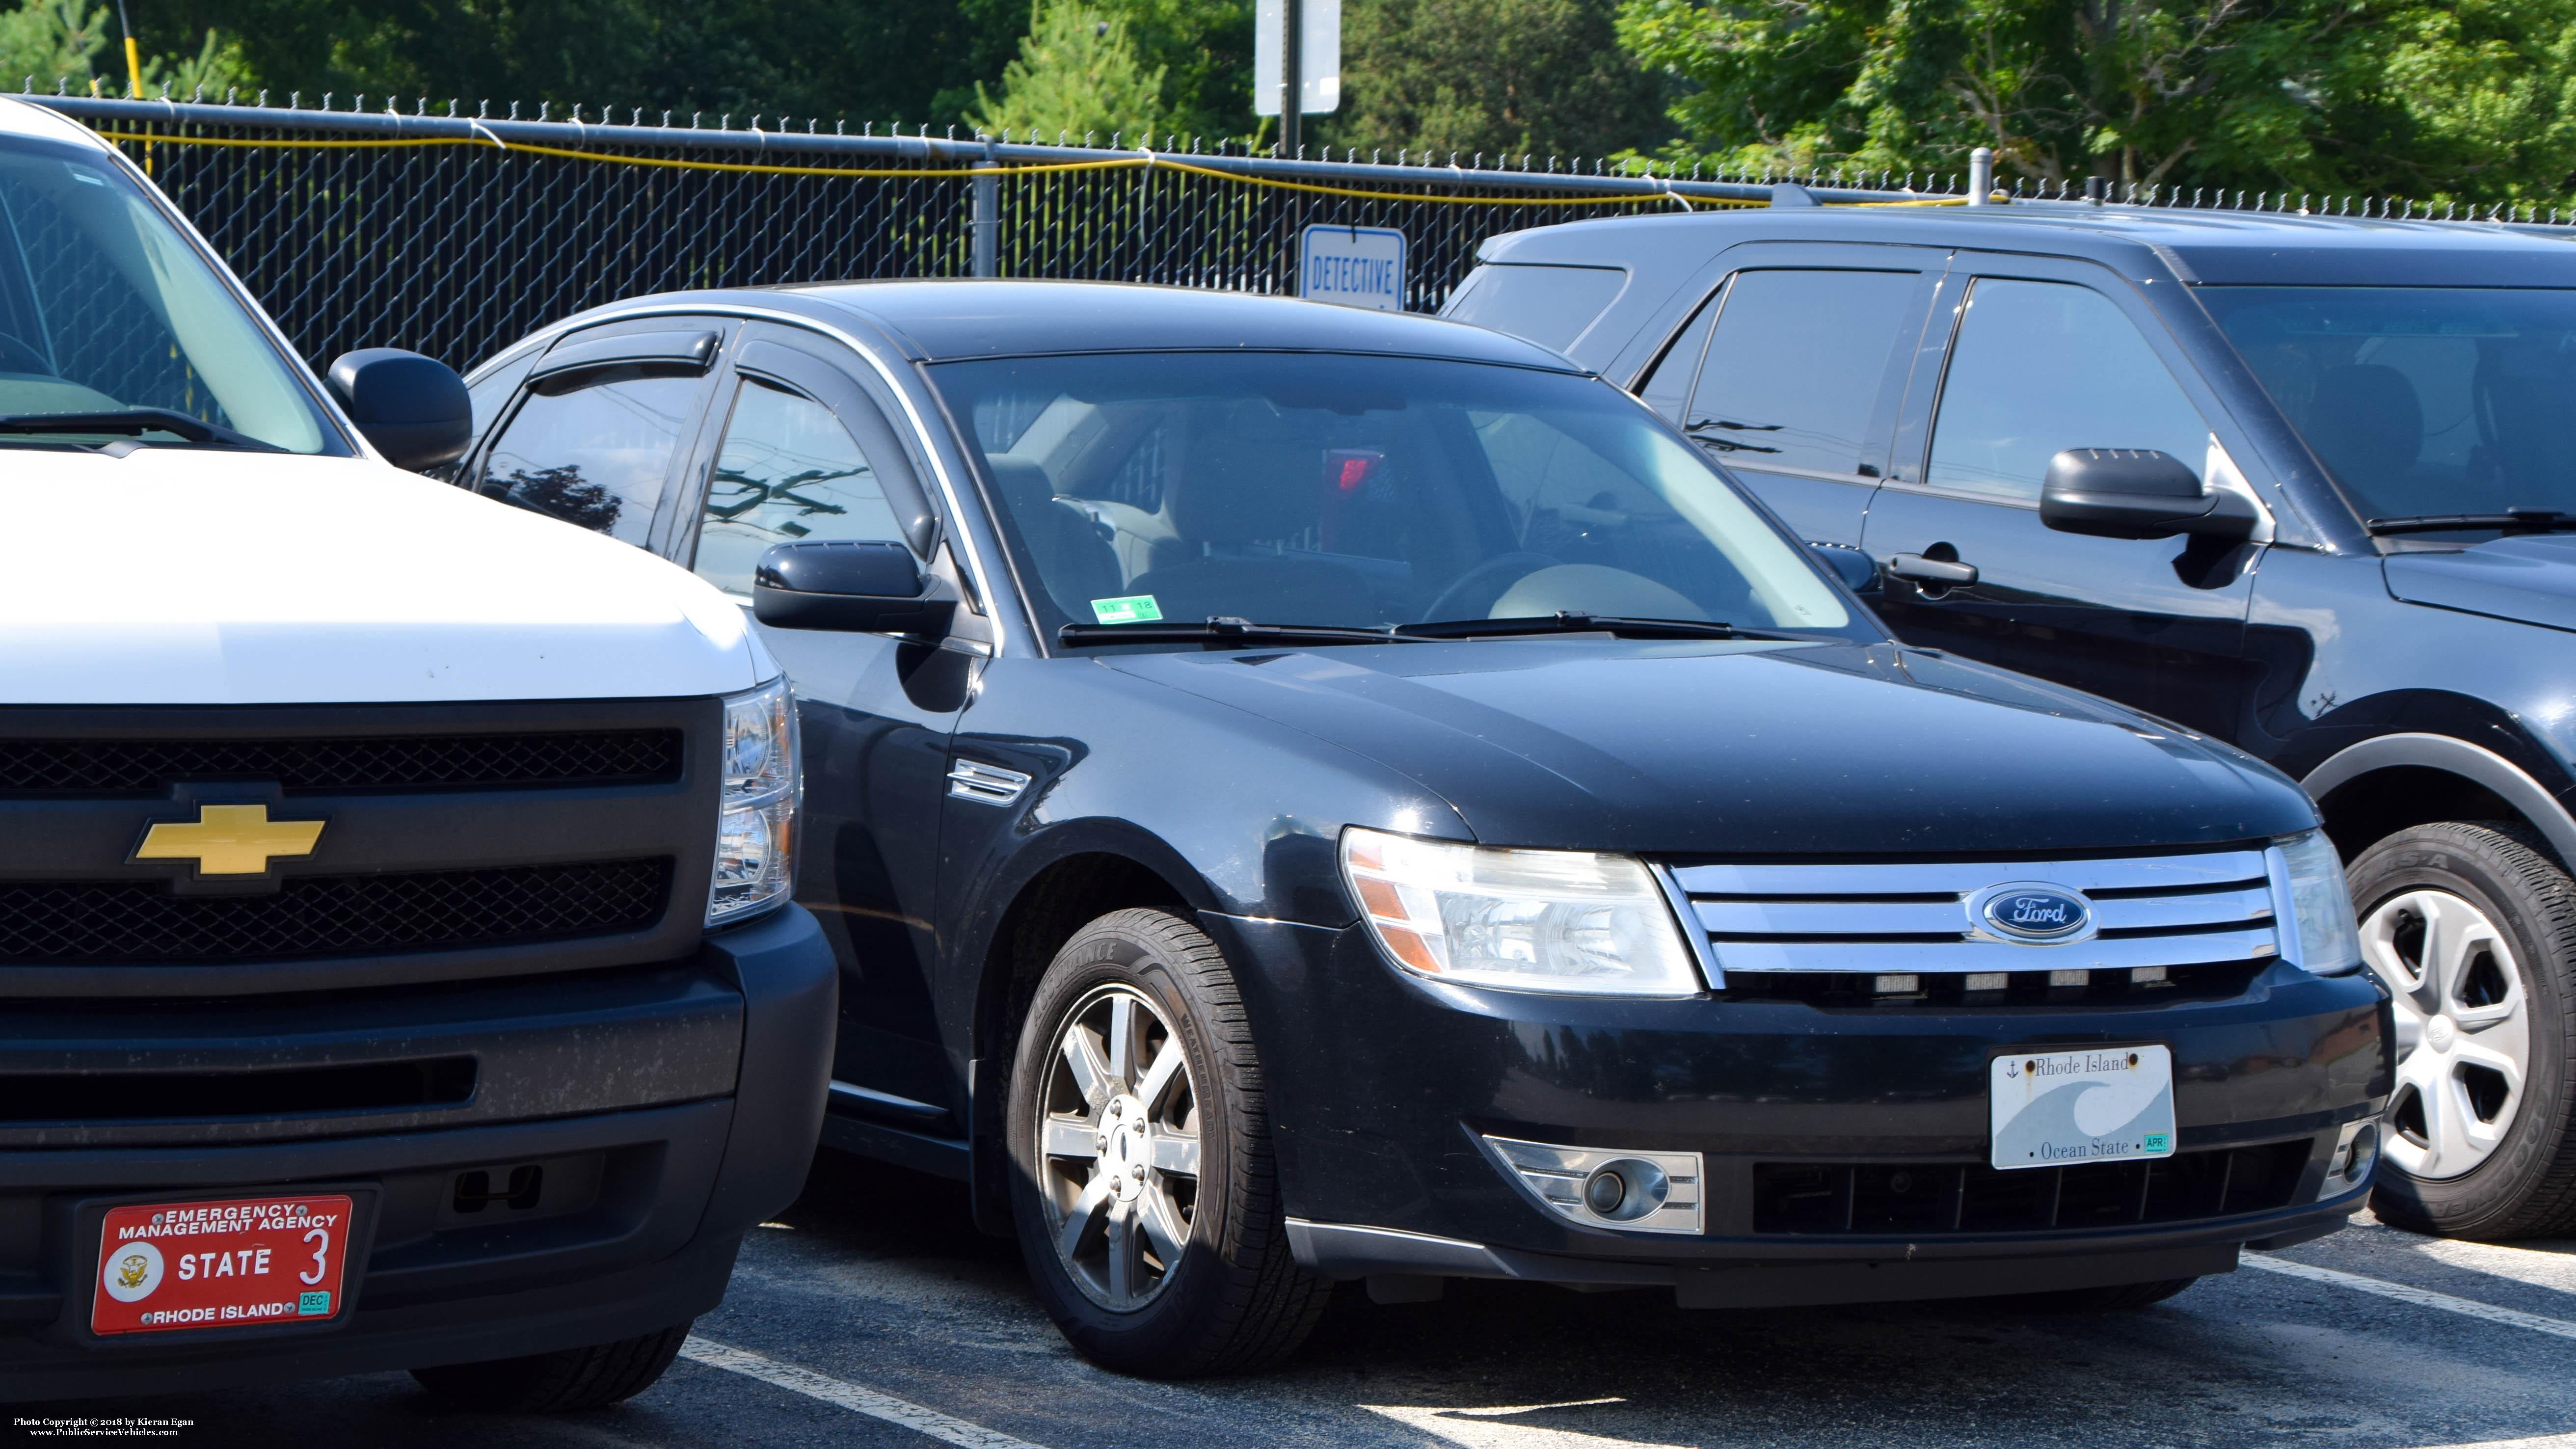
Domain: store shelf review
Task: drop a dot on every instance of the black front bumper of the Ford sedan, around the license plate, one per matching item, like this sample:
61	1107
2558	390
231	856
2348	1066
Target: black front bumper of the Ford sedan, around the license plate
1387	1094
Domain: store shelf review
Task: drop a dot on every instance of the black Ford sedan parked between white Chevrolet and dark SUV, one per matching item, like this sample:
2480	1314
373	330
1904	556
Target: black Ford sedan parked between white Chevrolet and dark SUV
1318	795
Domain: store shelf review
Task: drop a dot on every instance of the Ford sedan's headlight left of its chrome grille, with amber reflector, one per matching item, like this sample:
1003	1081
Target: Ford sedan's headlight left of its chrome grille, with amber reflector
1562	922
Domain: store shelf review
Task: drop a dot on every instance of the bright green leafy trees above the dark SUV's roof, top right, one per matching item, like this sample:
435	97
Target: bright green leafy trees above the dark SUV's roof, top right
2423	97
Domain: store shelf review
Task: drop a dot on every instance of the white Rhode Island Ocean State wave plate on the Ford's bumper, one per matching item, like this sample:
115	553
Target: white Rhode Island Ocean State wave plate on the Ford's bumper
2083	1107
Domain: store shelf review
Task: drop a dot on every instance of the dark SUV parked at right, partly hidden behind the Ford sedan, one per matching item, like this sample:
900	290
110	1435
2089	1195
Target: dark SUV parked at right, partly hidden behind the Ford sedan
2297	483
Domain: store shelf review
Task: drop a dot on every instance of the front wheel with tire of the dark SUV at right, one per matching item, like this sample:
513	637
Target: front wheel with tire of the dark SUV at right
2474	932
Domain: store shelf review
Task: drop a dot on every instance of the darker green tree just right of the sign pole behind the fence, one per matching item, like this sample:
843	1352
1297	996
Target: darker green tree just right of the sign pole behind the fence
1493	76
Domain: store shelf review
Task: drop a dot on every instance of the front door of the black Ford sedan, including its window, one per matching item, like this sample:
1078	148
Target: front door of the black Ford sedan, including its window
800	450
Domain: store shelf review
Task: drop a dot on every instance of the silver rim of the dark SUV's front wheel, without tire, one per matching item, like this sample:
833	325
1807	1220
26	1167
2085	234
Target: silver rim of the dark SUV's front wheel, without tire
2464	1030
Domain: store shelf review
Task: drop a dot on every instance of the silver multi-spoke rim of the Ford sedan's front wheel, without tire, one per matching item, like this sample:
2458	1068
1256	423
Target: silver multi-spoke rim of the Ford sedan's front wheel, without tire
1119	1149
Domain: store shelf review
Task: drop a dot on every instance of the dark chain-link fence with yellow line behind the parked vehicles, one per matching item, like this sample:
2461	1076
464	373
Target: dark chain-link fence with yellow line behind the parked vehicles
462	233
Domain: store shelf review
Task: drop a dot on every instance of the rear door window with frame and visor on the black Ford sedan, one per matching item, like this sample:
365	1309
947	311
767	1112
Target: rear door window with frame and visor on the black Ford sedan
599	432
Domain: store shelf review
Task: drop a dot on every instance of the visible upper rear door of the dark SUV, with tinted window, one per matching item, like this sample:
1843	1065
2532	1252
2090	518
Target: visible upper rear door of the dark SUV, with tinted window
1792	375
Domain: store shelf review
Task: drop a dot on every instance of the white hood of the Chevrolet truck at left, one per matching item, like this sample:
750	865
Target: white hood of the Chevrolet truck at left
192	576
